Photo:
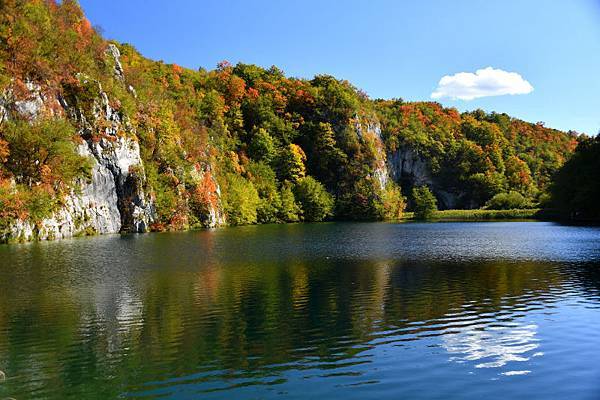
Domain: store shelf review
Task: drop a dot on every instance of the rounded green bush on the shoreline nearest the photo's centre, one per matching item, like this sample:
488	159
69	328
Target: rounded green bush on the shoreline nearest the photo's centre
316	202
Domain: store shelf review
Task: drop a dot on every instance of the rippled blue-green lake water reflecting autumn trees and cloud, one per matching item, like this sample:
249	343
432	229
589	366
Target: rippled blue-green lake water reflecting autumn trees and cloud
503	310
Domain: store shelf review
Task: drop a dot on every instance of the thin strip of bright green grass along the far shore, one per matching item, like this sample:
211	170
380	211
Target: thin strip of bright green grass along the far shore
483	215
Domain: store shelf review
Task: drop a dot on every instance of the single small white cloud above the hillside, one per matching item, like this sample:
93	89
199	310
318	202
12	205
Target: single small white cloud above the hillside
484	82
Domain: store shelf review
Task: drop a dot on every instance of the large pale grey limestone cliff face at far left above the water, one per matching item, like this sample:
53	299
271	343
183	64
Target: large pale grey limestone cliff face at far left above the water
114	199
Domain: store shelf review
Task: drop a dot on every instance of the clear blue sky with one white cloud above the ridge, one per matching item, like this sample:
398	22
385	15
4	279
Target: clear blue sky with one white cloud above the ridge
538	60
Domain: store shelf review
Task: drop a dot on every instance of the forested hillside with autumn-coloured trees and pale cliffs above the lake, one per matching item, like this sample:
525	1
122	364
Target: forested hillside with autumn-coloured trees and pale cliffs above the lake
239	144
